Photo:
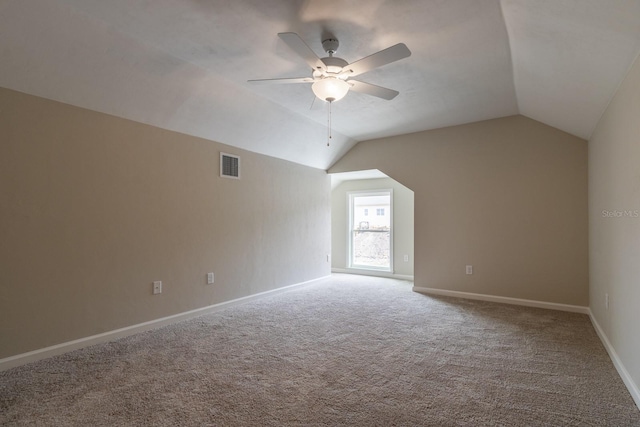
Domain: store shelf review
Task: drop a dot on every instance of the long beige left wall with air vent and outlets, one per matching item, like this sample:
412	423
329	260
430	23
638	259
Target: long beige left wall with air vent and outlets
93	208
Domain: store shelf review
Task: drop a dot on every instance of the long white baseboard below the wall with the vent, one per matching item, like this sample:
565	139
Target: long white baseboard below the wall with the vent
32	356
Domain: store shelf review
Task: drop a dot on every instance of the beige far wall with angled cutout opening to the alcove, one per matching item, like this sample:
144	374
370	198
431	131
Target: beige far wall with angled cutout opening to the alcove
508	196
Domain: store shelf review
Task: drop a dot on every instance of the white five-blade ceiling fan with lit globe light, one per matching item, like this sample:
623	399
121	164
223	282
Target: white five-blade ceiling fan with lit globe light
331	76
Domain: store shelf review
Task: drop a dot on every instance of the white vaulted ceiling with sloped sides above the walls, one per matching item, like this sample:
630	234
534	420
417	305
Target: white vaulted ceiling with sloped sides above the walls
184	64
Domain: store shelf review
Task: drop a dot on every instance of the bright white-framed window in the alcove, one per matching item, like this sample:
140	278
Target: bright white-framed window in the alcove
370	239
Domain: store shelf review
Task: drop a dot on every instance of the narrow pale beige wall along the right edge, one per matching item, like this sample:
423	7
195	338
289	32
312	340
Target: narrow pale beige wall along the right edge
614	223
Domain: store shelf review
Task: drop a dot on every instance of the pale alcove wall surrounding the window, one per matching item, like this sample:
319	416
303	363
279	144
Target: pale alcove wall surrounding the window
402	222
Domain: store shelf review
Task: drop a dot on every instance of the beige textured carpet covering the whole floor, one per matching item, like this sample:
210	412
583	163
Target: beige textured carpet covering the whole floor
348	351
